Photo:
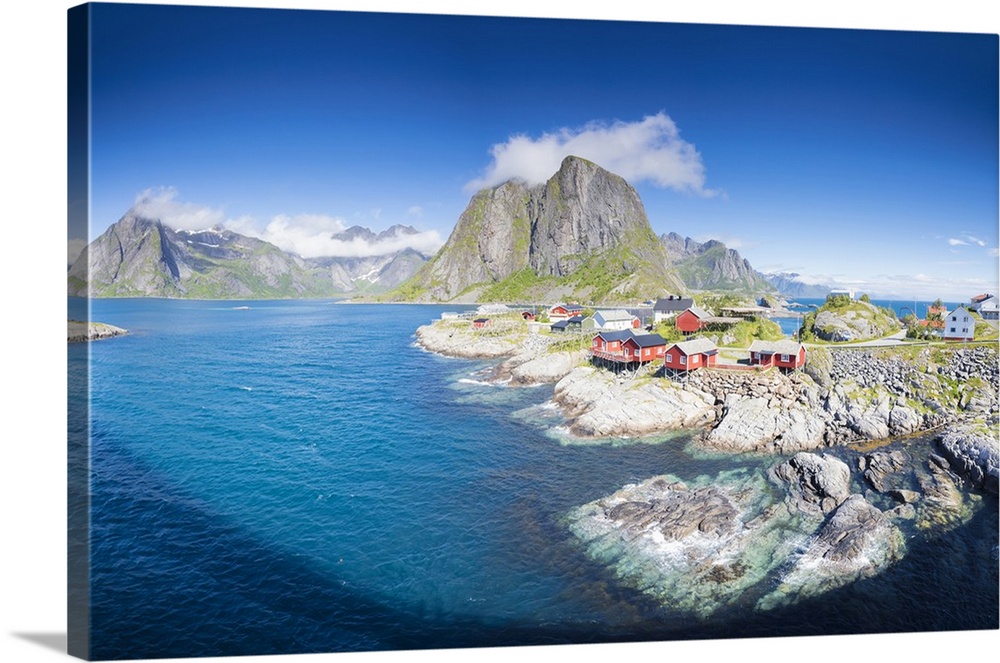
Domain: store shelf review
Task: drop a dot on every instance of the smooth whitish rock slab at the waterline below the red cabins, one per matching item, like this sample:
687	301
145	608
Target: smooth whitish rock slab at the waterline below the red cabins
599	404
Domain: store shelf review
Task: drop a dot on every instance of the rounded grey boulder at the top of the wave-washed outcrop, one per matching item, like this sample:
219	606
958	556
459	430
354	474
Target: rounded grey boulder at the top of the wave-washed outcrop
817	484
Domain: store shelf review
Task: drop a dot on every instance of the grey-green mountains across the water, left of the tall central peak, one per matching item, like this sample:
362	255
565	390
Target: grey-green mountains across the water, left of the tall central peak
142	257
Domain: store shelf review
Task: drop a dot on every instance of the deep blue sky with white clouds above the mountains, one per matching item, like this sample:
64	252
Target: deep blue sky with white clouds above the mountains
865	158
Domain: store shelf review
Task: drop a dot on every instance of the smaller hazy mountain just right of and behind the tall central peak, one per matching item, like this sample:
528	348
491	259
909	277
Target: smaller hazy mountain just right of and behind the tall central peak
712	266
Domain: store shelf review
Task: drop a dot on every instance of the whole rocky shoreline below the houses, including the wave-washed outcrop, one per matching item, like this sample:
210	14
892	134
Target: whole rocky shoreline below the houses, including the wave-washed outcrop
827	515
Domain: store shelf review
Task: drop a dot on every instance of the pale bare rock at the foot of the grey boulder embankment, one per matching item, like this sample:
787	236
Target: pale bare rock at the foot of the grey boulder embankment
752	424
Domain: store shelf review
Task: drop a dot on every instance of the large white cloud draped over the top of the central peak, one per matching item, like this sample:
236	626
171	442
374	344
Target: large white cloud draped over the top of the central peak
647	151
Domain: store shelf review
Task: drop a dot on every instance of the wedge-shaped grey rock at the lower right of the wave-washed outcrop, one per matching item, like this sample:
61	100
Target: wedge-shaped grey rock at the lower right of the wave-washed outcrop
856	541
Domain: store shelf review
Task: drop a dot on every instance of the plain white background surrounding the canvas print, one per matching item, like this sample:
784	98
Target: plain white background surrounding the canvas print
32	241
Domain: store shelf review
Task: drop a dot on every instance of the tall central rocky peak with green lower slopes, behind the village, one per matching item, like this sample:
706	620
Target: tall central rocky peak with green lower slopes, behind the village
581	235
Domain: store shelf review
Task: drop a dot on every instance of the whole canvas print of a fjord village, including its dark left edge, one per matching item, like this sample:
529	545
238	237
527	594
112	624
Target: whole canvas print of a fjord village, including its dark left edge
395	332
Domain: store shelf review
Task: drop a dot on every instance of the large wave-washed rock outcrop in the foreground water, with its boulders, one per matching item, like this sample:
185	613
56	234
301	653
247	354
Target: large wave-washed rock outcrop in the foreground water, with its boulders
703	545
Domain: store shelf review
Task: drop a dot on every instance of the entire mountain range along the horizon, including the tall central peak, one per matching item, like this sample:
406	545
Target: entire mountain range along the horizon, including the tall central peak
583	235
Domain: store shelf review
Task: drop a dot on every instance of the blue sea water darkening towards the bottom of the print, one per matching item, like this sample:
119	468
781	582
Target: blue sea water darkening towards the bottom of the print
298	476
